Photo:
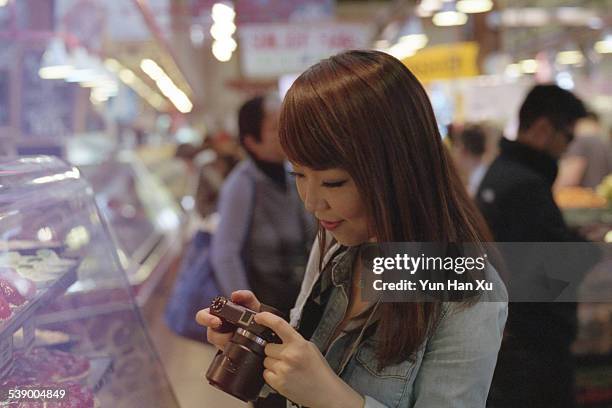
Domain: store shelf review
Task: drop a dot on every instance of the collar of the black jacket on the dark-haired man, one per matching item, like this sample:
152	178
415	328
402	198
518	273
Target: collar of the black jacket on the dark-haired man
540	162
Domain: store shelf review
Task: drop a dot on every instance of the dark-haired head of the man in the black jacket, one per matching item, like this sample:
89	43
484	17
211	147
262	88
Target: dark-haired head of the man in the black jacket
547	119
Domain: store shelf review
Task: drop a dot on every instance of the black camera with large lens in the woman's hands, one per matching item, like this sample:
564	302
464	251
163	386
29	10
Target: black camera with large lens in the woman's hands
238	369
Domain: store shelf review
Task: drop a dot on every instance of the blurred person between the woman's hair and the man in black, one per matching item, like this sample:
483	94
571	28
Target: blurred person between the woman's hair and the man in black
469	147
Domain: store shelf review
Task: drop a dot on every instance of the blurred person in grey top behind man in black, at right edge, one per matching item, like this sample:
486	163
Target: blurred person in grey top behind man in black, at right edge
588	158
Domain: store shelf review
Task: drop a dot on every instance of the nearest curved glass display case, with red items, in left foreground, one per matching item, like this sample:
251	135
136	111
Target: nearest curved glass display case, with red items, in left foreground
70	331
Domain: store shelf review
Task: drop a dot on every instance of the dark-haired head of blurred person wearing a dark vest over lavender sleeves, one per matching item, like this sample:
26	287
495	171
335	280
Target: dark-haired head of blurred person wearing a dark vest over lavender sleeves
258	129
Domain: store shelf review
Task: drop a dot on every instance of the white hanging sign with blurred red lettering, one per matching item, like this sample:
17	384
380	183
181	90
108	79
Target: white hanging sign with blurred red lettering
271	50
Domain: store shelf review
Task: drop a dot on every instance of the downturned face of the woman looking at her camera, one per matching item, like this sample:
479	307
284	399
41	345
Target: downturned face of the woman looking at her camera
332	196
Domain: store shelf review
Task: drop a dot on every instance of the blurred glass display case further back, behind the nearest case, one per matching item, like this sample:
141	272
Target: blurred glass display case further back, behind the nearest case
144	218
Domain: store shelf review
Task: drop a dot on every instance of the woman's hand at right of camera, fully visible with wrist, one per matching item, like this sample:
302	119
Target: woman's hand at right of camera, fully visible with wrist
298	370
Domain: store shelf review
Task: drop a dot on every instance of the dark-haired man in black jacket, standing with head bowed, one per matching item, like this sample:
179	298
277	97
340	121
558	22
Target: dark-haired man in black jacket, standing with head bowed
535	366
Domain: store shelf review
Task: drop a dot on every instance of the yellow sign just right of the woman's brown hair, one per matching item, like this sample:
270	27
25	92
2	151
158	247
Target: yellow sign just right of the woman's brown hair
444	62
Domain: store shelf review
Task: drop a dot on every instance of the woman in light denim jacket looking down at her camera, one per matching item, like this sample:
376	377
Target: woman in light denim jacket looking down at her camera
370	165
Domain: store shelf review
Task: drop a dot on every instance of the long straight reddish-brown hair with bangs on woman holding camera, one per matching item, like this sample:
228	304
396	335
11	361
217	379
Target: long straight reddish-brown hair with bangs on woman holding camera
365	112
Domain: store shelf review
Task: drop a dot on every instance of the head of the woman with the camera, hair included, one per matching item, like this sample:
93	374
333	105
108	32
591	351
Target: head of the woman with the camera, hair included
361	133
